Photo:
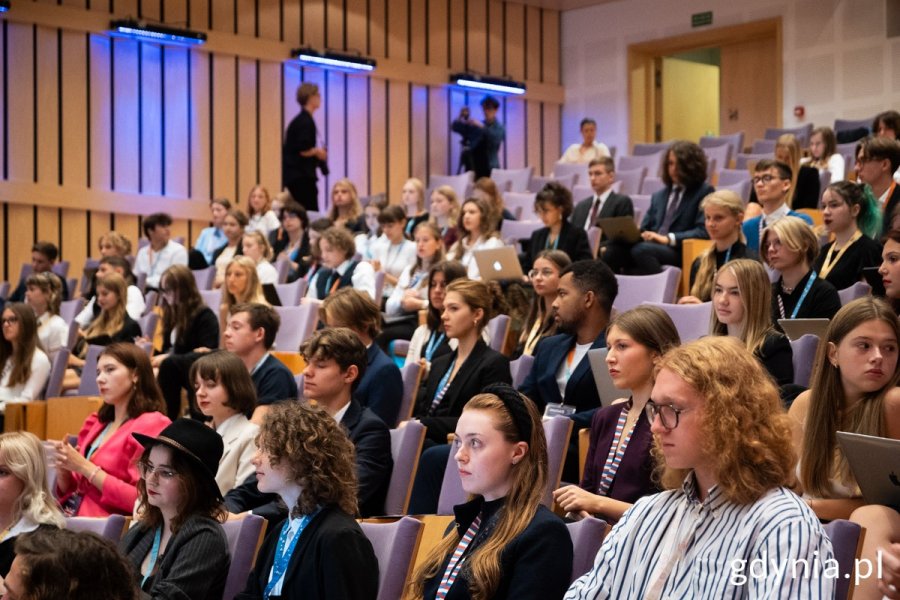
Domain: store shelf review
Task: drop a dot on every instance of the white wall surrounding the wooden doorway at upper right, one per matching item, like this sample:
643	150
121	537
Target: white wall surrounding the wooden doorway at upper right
837	59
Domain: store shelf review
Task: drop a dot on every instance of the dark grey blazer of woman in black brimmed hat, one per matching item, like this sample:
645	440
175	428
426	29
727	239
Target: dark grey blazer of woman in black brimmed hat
194	565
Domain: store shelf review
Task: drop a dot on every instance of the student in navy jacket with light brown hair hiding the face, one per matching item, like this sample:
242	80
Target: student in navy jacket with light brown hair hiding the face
381	387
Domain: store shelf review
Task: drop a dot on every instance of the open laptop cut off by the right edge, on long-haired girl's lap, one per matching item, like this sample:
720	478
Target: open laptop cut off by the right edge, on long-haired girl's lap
875	463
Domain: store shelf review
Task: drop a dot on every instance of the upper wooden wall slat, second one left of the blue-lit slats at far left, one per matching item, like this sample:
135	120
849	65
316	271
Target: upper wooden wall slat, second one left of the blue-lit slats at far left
47	117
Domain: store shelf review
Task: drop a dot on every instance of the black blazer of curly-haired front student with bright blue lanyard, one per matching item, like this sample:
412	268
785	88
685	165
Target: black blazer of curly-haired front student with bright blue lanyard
333	560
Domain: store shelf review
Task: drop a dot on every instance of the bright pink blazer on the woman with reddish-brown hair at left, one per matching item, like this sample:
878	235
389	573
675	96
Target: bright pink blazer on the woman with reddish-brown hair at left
117	457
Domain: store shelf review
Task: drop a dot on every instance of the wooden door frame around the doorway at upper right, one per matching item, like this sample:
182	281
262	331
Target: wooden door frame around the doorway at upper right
644	103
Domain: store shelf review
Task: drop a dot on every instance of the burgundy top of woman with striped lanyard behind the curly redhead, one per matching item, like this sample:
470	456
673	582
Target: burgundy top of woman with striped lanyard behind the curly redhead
632	480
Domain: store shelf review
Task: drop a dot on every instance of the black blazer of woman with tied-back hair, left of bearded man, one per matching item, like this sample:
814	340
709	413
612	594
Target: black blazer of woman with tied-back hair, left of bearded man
484	366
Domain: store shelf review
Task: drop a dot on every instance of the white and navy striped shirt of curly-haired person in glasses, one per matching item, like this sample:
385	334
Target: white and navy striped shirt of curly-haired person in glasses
672	545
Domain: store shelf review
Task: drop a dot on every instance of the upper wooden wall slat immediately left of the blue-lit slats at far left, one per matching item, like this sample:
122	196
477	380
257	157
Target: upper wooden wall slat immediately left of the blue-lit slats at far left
74	92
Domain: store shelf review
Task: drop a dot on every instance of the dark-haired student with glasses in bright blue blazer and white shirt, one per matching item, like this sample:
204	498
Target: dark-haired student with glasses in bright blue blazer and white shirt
772	182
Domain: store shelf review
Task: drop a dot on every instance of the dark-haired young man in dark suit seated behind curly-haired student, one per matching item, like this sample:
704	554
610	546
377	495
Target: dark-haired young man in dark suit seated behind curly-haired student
336	362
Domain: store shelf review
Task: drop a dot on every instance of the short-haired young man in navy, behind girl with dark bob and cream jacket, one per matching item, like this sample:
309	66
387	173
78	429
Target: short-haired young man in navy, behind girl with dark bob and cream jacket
250	334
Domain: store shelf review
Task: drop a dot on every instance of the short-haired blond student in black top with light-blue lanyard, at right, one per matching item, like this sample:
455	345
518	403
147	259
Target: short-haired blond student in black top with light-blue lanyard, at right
790	247
